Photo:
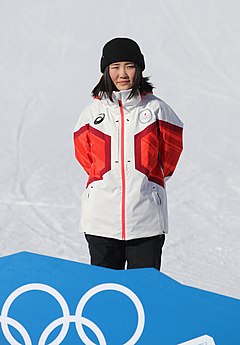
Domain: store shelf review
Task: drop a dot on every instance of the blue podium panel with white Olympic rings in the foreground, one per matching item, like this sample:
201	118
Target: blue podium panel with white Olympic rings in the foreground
50	301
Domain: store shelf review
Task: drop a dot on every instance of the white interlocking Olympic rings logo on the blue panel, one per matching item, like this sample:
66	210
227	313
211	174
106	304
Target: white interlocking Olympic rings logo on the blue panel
66	319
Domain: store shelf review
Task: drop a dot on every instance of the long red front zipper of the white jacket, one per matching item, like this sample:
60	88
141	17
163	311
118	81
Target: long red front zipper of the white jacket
123	173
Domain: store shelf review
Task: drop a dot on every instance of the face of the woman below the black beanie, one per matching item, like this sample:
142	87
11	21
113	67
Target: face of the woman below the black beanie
122	74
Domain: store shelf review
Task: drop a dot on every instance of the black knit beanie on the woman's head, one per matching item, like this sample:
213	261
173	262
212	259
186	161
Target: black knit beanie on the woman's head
121	49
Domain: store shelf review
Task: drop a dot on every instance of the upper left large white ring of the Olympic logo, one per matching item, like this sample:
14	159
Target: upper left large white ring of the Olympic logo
30	287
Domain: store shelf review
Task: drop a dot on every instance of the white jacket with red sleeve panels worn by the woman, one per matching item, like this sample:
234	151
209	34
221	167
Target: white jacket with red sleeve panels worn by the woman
128	147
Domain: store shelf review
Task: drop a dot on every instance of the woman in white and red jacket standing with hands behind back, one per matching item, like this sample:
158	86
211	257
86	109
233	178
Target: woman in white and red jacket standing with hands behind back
128	141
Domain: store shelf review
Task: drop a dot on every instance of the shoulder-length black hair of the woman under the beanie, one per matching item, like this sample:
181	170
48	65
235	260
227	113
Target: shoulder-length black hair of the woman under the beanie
105	86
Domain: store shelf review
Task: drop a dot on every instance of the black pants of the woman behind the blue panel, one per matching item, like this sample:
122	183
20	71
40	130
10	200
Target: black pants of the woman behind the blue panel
137	253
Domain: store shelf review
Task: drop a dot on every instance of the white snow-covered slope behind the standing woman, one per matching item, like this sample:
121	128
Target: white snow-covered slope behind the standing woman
49	63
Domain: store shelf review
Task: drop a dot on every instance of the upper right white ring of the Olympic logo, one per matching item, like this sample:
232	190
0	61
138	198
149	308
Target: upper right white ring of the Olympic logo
116	287
